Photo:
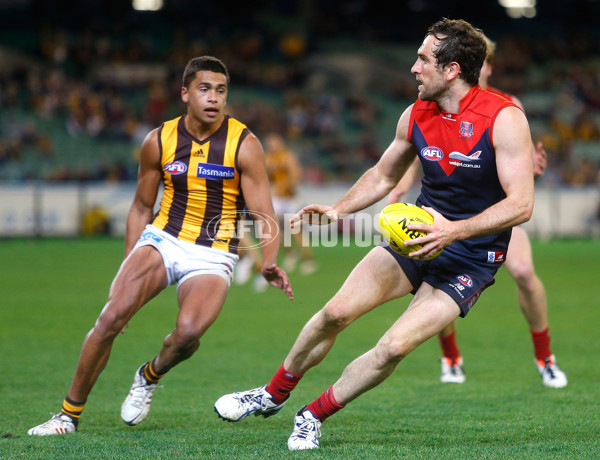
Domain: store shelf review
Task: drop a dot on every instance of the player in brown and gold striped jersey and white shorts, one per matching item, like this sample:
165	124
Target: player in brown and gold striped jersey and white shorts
211	166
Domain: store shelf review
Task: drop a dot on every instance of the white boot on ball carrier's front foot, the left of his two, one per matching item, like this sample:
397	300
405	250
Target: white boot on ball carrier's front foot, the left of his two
235	406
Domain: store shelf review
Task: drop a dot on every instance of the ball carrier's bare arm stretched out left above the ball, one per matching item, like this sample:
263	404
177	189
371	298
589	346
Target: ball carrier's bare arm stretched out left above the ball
373	185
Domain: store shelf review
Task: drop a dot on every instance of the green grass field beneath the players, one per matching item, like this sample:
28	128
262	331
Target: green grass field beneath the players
52	291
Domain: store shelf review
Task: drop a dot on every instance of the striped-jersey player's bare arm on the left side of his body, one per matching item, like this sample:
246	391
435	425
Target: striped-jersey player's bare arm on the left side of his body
149	177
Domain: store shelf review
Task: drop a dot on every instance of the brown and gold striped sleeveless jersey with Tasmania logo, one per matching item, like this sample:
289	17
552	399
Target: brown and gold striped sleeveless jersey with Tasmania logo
202	200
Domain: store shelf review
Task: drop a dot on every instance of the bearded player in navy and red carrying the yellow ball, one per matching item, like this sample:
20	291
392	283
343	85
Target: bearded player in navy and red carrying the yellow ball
477	155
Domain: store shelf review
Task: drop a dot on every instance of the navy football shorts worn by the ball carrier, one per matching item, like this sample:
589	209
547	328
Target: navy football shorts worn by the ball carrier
461	278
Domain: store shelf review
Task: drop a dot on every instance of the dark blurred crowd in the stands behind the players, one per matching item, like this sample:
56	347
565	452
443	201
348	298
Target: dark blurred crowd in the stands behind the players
82	83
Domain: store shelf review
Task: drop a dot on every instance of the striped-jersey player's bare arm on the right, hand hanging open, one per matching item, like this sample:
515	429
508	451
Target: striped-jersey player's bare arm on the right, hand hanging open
255	187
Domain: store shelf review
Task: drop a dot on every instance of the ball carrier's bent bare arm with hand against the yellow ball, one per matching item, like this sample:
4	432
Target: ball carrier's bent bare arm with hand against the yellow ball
514	162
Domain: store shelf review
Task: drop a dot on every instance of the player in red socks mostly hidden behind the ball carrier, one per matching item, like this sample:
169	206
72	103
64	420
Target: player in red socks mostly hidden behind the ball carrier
519	263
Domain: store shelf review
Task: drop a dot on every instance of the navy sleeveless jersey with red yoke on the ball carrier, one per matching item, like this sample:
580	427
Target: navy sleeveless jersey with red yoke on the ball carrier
459	164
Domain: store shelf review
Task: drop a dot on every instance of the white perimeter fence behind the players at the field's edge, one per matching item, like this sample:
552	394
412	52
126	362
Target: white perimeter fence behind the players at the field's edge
57	210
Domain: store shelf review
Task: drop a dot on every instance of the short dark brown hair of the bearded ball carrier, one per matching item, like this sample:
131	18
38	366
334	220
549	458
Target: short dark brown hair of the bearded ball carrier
459	42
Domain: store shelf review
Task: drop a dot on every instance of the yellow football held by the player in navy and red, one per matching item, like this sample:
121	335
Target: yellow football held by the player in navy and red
393	225
